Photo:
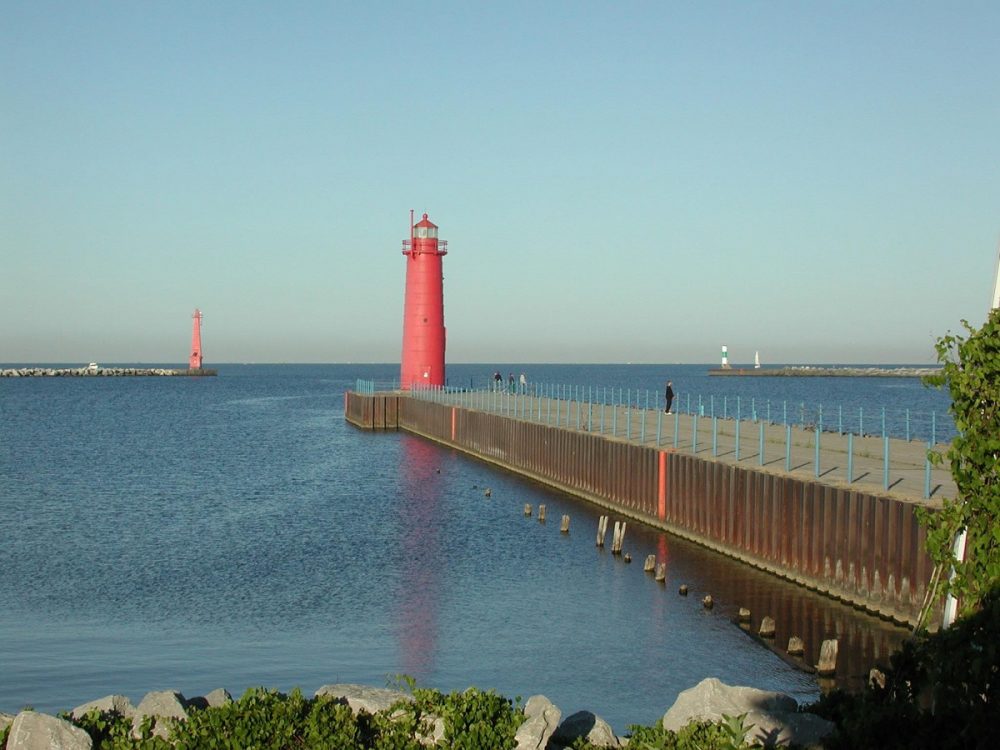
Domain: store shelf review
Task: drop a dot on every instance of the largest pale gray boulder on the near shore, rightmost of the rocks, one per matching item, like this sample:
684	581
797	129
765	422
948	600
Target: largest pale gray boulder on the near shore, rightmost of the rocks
773	715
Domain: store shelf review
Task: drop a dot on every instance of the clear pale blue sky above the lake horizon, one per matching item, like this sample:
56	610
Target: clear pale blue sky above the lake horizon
634	181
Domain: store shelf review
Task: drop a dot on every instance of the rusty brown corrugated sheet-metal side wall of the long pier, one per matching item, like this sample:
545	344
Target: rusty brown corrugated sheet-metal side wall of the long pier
863	548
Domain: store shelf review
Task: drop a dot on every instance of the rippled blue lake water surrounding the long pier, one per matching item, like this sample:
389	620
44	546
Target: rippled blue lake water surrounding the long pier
195	533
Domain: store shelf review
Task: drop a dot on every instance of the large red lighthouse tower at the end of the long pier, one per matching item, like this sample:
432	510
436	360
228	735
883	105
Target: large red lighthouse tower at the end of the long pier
423	311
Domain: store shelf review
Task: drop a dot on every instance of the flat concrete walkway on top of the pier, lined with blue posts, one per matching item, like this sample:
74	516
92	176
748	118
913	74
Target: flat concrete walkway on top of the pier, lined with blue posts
869	463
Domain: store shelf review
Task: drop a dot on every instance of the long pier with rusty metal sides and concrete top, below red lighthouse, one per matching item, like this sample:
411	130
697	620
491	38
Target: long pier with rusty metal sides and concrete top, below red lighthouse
854	540
